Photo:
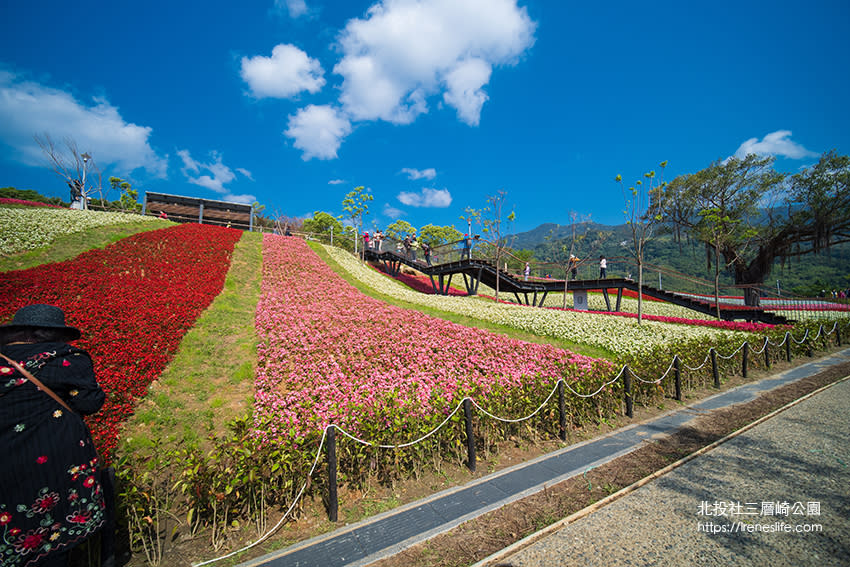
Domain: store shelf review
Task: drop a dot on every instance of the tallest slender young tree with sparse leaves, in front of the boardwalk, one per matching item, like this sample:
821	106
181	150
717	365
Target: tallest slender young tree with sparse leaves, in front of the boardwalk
645	203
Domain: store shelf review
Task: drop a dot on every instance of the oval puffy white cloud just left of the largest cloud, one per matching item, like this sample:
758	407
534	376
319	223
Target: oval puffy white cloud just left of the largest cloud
283	75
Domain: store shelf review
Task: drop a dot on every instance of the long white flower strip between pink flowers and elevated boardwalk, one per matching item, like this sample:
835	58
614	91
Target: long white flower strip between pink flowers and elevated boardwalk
619	335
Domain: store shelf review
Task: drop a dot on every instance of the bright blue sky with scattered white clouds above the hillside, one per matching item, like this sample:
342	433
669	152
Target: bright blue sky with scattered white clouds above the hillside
433	105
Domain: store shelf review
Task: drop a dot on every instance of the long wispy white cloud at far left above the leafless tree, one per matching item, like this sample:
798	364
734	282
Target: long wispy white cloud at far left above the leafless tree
28	108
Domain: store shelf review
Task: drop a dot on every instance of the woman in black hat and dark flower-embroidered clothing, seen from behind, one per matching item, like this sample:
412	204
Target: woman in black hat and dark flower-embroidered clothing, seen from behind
50	495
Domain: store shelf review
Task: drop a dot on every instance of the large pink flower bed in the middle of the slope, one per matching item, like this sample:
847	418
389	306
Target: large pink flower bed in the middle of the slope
329	354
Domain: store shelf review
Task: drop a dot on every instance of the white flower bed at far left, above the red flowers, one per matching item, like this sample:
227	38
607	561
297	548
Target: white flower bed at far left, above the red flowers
28	228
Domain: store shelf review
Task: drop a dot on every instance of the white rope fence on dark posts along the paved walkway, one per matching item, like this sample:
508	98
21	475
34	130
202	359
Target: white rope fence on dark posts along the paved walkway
328	439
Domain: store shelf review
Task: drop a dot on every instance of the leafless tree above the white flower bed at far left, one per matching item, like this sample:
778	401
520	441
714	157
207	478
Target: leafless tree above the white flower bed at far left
77	169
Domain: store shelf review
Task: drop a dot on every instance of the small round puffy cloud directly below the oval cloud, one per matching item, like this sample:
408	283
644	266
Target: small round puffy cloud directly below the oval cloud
318	131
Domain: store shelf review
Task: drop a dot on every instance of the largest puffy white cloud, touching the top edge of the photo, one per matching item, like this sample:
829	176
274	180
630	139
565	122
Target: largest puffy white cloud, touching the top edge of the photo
403	51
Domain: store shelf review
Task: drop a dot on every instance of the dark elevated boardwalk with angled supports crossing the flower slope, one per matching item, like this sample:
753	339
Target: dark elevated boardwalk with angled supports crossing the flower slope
476	271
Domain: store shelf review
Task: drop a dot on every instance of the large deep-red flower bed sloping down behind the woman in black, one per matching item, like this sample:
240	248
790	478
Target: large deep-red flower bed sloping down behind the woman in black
133	301
